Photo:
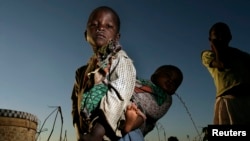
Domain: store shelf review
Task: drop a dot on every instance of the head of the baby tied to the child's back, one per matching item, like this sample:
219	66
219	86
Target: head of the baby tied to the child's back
168	77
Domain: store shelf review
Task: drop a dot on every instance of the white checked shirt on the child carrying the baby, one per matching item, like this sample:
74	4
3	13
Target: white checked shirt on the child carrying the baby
121	82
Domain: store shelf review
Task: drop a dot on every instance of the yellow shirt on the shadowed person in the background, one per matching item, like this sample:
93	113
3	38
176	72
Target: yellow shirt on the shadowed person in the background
235	74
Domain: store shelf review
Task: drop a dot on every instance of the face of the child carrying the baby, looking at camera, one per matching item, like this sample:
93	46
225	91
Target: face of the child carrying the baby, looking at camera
101	28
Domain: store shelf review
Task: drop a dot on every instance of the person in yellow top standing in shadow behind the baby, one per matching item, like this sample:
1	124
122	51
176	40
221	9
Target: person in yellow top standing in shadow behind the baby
229	68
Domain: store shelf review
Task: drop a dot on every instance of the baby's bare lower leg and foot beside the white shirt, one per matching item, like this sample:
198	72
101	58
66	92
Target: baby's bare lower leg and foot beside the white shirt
134	118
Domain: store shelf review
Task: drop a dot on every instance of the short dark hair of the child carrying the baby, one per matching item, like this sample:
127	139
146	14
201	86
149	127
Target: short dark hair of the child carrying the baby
118	21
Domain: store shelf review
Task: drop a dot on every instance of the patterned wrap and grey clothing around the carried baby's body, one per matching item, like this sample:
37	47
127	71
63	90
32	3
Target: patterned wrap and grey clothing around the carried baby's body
152	101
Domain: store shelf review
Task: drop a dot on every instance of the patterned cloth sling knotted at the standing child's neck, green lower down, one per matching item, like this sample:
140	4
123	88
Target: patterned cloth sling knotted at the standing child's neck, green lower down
99	60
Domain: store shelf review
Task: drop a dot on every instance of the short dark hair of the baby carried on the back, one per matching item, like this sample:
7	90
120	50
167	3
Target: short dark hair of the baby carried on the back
164	69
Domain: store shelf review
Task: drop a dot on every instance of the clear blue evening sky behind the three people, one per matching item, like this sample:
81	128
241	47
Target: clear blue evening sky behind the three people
42	44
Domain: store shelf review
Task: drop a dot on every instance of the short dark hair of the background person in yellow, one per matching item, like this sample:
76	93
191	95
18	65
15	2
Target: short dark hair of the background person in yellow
221	27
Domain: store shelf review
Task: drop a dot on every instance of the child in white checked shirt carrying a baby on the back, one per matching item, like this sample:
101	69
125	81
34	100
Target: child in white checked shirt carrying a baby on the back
103	28
